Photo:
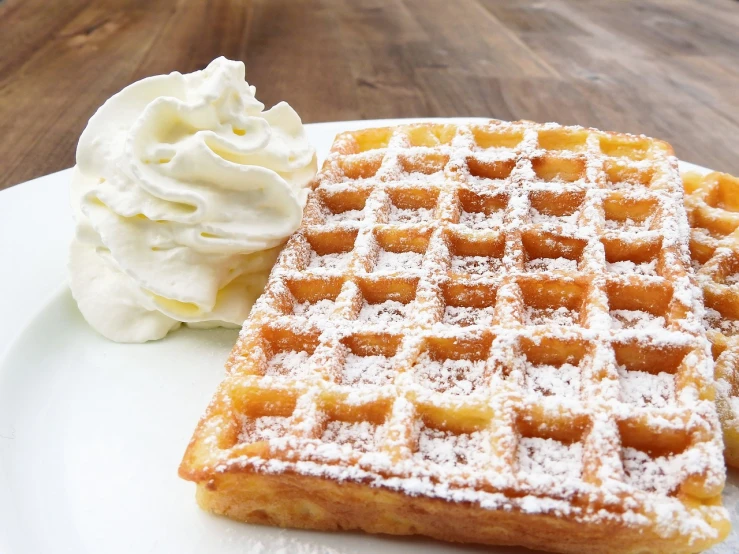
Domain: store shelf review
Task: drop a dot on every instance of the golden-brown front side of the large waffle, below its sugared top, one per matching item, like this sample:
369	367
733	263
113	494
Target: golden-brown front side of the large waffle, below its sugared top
311	503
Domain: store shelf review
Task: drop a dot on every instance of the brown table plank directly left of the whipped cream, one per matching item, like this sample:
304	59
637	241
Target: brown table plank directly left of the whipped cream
45	104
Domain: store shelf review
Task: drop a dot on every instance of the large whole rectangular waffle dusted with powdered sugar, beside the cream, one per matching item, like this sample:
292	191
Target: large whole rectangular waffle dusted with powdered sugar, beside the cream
484	333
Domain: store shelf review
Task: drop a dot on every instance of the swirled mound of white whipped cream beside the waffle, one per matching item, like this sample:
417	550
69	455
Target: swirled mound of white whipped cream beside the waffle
184	191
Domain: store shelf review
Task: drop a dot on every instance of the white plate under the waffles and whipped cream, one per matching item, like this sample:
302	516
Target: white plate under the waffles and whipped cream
92	432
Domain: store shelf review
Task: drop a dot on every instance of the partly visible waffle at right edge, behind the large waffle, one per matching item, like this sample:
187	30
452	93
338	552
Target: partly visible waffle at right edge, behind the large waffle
712	202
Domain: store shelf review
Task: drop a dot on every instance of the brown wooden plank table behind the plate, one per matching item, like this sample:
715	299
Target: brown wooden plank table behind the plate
664	68
